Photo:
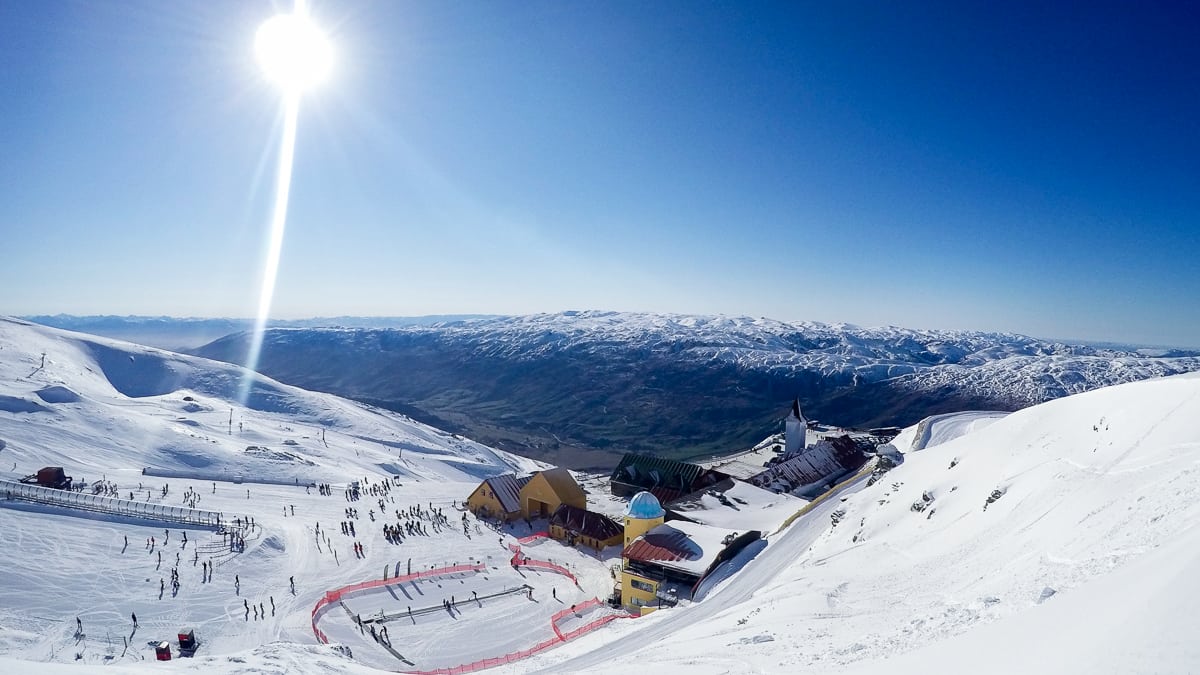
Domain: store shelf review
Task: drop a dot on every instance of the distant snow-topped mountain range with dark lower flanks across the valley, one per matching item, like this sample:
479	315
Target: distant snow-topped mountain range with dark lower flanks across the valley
580	389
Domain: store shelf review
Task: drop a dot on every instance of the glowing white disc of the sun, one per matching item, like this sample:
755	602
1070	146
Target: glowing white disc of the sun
293	52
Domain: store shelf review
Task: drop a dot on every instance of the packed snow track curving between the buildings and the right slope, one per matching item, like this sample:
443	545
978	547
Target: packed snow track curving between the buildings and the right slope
782	552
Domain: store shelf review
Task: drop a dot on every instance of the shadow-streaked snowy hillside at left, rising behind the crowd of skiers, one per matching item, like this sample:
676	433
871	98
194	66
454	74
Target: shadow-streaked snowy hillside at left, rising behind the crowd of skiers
92	405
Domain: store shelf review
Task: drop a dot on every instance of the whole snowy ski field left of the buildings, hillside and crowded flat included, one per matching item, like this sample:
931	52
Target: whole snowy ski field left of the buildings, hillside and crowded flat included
110	411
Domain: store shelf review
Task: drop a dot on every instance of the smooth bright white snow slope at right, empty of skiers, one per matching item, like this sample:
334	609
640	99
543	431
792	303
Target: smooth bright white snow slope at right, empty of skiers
1058	540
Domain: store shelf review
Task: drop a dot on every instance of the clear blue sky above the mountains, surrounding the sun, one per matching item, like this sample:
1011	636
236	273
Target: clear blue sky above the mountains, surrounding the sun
997	168
